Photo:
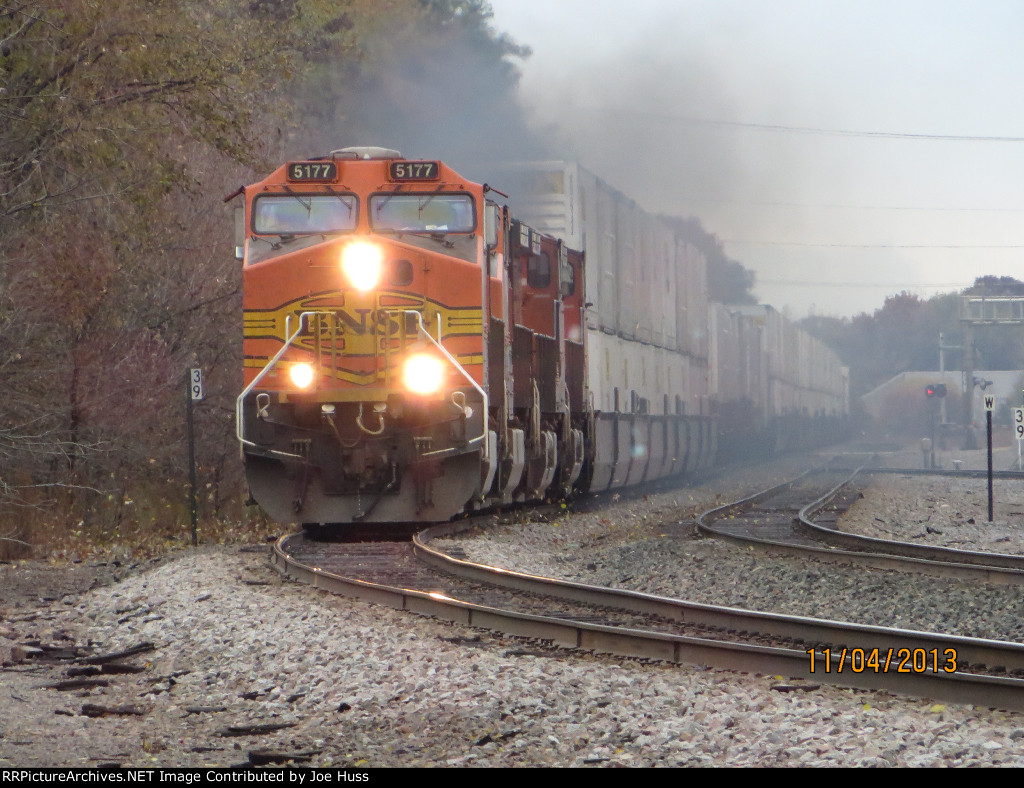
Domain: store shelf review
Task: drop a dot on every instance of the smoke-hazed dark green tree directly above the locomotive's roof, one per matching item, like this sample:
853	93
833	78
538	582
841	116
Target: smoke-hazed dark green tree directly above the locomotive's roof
437	82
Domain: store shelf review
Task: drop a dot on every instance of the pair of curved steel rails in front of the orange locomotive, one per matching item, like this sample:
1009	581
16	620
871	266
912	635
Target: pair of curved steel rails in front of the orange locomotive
999	692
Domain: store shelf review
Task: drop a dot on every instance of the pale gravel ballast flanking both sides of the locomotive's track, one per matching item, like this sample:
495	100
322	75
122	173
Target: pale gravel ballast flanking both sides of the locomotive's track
364	686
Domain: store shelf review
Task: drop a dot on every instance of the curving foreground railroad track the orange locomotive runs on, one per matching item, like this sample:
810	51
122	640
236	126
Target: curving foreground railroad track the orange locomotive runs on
420	579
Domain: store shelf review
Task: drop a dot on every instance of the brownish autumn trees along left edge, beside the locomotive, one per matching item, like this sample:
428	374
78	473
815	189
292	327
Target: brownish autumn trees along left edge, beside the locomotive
122	120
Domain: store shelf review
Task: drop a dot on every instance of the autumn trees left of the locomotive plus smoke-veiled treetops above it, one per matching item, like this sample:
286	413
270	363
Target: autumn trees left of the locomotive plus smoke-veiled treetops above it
124	122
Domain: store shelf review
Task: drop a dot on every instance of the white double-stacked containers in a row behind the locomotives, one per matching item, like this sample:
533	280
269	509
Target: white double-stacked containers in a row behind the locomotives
769	386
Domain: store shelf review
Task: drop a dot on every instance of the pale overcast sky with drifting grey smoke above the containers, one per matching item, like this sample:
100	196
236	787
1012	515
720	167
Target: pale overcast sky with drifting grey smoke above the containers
843	150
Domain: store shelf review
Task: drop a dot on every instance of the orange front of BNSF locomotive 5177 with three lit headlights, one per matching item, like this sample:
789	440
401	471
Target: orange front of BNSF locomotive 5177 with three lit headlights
365	309
